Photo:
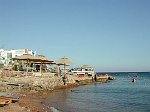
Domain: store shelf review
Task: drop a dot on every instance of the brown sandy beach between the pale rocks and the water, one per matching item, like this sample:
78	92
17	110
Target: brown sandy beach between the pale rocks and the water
32	101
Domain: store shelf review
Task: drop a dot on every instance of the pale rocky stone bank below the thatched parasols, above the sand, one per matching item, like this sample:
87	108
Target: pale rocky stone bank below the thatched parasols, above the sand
45	81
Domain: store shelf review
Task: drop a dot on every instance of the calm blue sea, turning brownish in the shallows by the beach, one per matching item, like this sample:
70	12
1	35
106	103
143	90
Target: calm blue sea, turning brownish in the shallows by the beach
119	95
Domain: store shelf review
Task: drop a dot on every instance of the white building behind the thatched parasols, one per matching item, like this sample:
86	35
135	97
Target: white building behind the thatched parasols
7	55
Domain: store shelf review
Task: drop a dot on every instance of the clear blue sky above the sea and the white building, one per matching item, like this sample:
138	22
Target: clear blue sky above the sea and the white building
109	35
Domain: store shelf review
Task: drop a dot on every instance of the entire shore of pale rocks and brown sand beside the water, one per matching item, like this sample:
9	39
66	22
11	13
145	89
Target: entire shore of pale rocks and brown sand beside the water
32	90
